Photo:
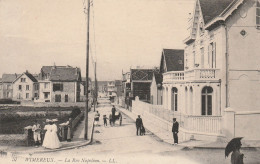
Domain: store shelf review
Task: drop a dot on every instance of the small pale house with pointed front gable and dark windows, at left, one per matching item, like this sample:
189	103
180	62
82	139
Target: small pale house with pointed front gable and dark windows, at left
25	87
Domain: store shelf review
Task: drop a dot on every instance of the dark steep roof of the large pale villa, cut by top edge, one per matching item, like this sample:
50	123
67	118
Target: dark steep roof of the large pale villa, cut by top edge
214	8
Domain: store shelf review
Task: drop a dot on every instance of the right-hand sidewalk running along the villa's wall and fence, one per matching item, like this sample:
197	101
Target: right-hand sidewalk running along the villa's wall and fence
166	136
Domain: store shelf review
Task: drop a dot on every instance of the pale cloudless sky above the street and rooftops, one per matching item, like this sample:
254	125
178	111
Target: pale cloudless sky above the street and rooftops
123	34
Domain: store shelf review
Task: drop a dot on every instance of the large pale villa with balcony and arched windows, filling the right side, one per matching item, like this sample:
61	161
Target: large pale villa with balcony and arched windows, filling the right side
217	94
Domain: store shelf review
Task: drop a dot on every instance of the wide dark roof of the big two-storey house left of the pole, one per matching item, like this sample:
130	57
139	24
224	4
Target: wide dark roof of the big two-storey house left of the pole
65	74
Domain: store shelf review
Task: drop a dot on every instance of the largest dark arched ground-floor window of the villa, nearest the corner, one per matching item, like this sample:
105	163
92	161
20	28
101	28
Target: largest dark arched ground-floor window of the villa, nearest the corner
206	101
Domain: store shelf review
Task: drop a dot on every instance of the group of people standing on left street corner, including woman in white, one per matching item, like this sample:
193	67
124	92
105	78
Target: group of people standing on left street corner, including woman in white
50	138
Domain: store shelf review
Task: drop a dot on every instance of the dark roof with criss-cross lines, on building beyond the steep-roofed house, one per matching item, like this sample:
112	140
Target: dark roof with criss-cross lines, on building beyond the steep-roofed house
143	74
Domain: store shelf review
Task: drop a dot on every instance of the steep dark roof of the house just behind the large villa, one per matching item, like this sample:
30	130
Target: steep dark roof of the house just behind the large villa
171	58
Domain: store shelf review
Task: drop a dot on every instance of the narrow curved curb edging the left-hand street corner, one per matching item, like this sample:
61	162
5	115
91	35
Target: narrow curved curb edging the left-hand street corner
60	149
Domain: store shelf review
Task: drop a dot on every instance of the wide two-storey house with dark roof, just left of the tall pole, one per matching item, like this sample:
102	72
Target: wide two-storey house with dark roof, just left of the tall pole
59	84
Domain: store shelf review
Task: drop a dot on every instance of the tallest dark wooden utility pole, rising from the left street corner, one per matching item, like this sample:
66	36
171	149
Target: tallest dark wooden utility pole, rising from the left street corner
87	76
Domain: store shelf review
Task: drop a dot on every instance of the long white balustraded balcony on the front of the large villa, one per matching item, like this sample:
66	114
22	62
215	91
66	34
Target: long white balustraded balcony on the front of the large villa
192	75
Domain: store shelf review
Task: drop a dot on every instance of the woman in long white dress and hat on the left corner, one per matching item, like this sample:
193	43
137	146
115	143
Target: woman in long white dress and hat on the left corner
51	139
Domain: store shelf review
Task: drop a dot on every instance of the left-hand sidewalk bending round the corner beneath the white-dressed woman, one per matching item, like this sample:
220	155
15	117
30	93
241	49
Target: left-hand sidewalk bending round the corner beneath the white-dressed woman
77	141
